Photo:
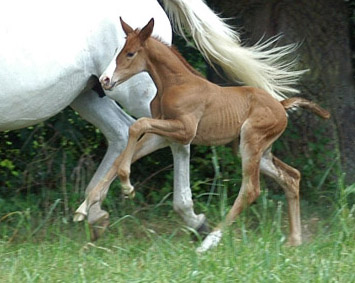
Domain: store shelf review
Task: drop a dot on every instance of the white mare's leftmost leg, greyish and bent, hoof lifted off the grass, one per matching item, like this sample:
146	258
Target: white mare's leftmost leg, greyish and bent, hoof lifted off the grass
114	124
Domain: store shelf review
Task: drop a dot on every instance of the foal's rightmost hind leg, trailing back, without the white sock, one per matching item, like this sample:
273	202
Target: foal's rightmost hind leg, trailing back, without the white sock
288	178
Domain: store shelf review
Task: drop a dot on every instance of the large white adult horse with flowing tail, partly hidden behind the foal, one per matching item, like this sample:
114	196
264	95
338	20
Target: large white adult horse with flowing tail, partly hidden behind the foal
51	51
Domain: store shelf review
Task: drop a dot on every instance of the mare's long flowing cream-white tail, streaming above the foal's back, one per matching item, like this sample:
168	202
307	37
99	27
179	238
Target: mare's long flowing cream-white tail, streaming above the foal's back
261	65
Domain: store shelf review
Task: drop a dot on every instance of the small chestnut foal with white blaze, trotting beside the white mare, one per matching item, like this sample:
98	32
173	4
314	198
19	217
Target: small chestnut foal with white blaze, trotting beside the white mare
189	109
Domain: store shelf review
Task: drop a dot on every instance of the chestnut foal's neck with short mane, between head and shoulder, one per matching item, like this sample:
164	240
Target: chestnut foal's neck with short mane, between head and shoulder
166	66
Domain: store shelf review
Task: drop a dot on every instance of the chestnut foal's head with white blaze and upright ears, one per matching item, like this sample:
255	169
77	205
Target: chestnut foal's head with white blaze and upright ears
131	60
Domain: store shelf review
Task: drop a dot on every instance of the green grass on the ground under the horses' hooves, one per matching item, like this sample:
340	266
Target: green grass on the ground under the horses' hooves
152	245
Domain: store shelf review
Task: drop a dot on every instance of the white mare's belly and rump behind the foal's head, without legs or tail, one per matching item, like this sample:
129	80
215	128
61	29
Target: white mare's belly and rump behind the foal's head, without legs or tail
49	50
